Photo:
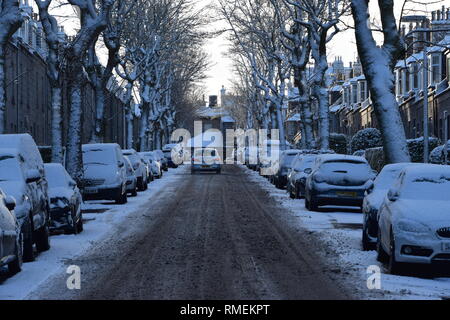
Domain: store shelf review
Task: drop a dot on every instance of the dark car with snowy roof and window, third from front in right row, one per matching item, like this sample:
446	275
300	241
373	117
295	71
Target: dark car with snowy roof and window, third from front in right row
337	180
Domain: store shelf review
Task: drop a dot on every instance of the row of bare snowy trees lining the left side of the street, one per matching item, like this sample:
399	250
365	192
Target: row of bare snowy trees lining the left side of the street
152	47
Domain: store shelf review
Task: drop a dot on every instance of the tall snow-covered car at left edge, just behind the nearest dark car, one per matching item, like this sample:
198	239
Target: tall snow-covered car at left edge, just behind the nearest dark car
22	176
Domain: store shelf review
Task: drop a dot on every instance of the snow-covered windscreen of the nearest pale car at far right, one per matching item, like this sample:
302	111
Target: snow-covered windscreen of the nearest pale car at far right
426	188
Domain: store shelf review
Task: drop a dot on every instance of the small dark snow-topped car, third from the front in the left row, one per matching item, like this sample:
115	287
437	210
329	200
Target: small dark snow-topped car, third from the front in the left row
65	200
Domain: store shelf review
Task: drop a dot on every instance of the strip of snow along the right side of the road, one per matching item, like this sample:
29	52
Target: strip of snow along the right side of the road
340	230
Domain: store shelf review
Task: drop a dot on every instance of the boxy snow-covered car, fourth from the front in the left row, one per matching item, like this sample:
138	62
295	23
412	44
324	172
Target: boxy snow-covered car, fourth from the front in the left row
105	176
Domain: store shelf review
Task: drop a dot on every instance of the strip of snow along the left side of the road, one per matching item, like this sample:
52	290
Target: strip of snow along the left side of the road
100	219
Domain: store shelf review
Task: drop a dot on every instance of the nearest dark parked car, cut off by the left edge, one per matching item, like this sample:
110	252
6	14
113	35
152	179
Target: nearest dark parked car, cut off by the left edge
11	245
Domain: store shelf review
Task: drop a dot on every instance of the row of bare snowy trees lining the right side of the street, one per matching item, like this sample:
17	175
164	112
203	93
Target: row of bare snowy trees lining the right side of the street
275	41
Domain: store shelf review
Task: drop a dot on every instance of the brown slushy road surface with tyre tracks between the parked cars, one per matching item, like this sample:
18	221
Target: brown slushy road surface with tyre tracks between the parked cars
215	237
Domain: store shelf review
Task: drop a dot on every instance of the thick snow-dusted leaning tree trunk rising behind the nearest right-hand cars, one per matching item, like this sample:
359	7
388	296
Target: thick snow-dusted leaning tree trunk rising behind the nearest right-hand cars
378	64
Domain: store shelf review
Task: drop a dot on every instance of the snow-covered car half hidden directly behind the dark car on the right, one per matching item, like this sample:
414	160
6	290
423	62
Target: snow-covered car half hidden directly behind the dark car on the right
297	176
